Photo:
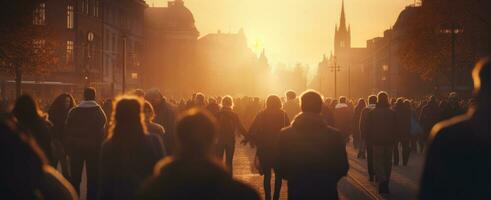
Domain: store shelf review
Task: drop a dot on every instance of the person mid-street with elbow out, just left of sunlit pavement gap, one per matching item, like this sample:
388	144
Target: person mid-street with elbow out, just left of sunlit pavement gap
228	125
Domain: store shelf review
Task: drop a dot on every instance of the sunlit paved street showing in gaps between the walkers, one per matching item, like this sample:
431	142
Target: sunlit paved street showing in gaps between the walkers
404	180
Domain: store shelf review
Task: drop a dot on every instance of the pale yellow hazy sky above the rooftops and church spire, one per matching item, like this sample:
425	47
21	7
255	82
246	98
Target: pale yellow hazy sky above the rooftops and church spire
294	30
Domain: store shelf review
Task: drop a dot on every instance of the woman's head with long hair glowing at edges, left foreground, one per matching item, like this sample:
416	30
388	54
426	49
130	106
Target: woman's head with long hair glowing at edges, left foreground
127	121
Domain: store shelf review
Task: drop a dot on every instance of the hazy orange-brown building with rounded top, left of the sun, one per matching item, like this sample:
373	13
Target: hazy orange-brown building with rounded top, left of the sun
170	48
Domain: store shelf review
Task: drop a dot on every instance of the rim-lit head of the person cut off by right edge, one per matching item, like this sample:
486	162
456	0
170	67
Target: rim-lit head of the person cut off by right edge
482	81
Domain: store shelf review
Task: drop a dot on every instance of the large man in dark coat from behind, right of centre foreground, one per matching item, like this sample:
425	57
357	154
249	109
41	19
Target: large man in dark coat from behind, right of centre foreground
312	155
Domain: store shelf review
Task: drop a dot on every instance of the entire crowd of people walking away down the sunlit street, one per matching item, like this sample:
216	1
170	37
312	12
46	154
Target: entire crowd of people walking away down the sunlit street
144	146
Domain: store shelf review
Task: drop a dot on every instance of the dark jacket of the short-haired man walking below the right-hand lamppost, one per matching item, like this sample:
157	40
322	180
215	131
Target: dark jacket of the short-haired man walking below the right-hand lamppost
381	126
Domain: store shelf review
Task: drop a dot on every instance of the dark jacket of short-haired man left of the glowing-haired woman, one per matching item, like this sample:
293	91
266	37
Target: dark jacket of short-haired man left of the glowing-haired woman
85	127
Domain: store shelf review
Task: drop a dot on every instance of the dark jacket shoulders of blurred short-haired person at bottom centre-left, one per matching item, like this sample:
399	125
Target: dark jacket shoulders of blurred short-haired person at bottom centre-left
194	179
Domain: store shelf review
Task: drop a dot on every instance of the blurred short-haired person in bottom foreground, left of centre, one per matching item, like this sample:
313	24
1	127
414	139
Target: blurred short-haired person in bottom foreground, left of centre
193	172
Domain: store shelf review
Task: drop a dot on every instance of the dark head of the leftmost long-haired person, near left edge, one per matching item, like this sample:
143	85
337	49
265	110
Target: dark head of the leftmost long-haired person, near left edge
26	110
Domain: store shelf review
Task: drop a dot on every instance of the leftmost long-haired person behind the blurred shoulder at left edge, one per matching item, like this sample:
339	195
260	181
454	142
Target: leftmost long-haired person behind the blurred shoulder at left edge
32	121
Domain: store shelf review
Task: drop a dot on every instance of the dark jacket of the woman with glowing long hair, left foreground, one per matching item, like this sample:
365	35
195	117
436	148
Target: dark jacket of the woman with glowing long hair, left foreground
124	168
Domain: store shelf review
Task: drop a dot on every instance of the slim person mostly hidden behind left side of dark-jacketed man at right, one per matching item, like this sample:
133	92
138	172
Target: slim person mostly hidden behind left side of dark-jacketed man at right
372	101
